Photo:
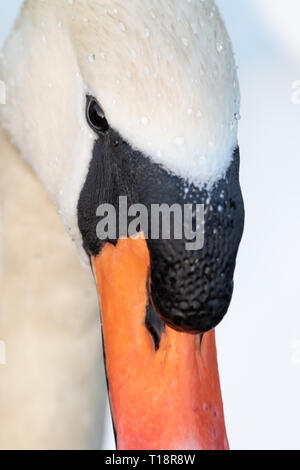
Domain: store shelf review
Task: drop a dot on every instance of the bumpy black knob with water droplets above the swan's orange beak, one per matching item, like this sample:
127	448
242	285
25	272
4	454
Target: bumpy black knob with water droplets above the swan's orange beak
192	290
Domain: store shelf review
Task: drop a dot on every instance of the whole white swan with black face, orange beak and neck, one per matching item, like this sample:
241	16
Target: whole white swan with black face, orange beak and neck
135	98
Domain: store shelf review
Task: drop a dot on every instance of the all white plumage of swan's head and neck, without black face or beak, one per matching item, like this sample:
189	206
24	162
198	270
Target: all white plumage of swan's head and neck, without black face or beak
164	74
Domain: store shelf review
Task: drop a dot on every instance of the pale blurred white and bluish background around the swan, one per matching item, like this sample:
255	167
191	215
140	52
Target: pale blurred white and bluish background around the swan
259	340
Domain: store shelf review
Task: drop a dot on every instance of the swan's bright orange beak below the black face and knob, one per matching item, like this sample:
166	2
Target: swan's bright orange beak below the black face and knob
164	399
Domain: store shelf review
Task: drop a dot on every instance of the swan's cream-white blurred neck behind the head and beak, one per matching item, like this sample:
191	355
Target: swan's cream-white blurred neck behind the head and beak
52	388
